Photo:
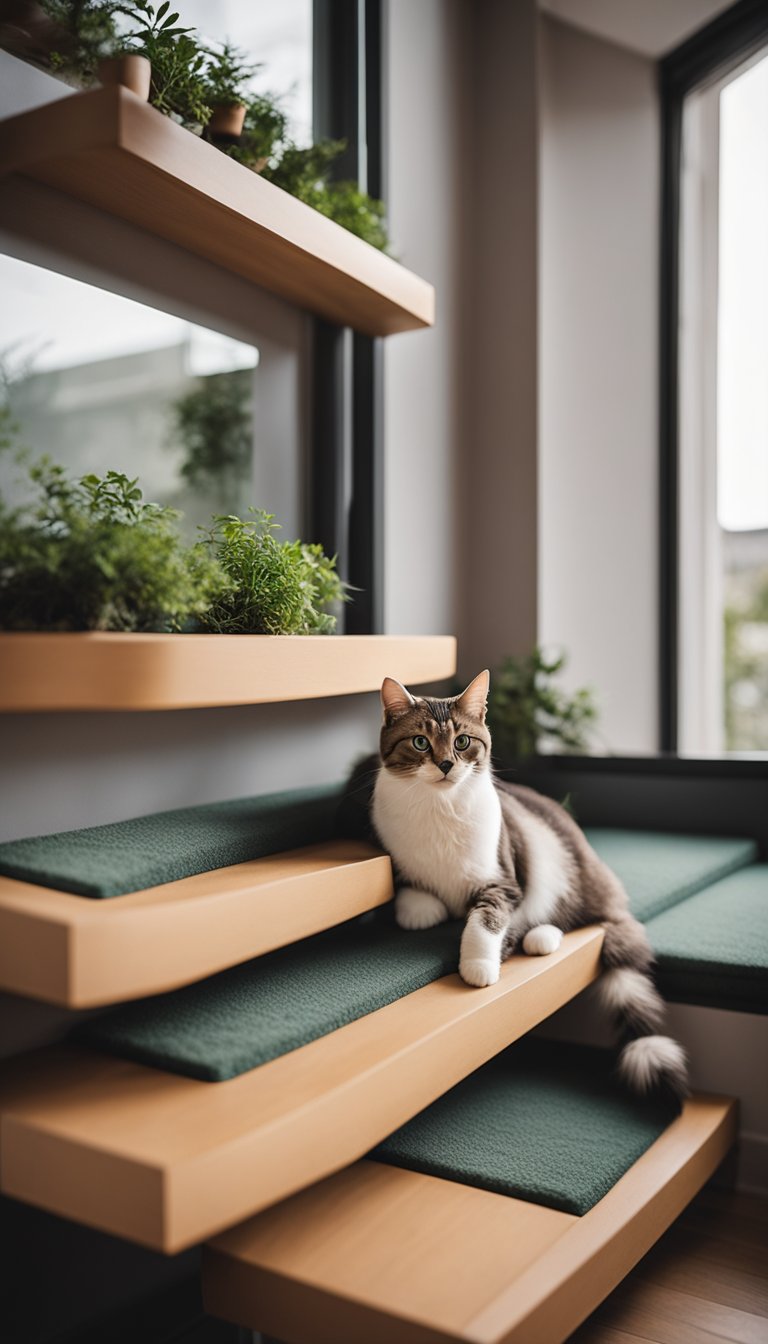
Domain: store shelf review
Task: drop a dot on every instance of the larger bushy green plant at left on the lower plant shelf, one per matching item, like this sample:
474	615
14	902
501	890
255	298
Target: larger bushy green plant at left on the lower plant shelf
93	556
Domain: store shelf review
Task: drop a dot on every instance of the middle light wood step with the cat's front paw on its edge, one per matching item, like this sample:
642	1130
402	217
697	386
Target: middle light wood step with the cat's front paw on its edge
167	1162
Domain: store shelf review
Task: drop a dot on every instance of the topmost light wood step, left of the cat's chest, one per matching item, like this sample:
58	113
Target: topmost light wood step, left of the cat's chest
81	954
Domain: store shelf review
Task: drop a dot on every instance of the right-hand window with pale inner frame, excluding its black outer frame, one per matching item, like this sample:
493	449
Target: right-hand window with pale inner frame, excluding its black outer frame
724	416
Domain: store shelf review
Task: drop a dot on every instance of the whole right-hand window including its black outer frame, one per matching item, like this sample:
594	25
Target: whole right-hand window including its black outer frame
715	389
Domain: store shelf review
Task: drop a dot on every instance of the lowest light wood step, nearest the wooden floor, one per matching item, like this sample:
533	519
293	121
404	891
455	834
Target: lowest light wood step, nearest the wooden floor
379	1253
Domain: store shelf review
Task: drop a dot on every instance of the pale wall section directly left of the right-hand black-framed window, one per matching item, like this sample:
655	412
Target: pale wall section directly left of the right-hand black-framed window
598	376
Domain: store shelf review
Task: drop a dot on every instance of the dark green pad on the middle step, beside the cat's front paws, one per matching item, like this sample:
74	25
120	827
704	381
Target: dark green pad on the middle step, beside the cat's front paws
243	1018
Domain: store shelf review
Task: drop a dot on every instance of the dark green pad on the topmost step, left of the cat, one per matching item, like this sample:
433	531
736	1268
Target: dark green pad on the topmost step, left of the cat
147	851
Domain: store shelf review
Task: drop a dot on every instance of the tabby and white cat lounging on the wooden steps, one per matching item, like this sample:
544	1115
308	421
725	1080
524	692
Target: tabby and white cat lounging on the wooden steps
512	862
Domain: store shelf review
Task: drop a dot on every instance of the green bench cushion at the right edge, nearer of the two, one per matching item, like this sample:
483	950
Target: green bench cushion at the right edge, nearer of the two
714	950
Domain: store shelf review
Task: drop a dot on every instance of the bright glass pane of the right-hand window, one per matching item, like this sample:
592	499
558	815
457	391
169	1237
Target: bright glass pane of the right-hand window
743	404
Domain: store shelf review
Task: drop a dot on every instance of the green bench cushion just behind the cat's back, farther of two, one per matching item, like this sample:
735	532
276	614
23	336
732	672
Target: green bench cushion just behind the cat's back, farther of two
661	870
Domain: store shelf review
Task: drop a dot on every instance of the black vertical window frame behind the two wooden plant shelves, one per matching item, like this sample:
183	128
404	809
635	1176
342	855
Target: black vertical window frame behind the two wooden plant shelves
346	466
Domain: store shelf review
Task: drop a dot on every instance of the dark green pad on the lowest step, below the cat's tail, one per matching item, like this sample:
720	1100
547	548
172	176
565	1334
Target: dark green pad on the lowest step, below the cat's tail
544	1122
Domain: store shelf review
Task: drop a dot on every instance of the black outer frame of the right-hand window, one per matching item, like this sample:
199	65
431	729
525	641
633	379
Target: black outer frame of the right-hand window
723	45
